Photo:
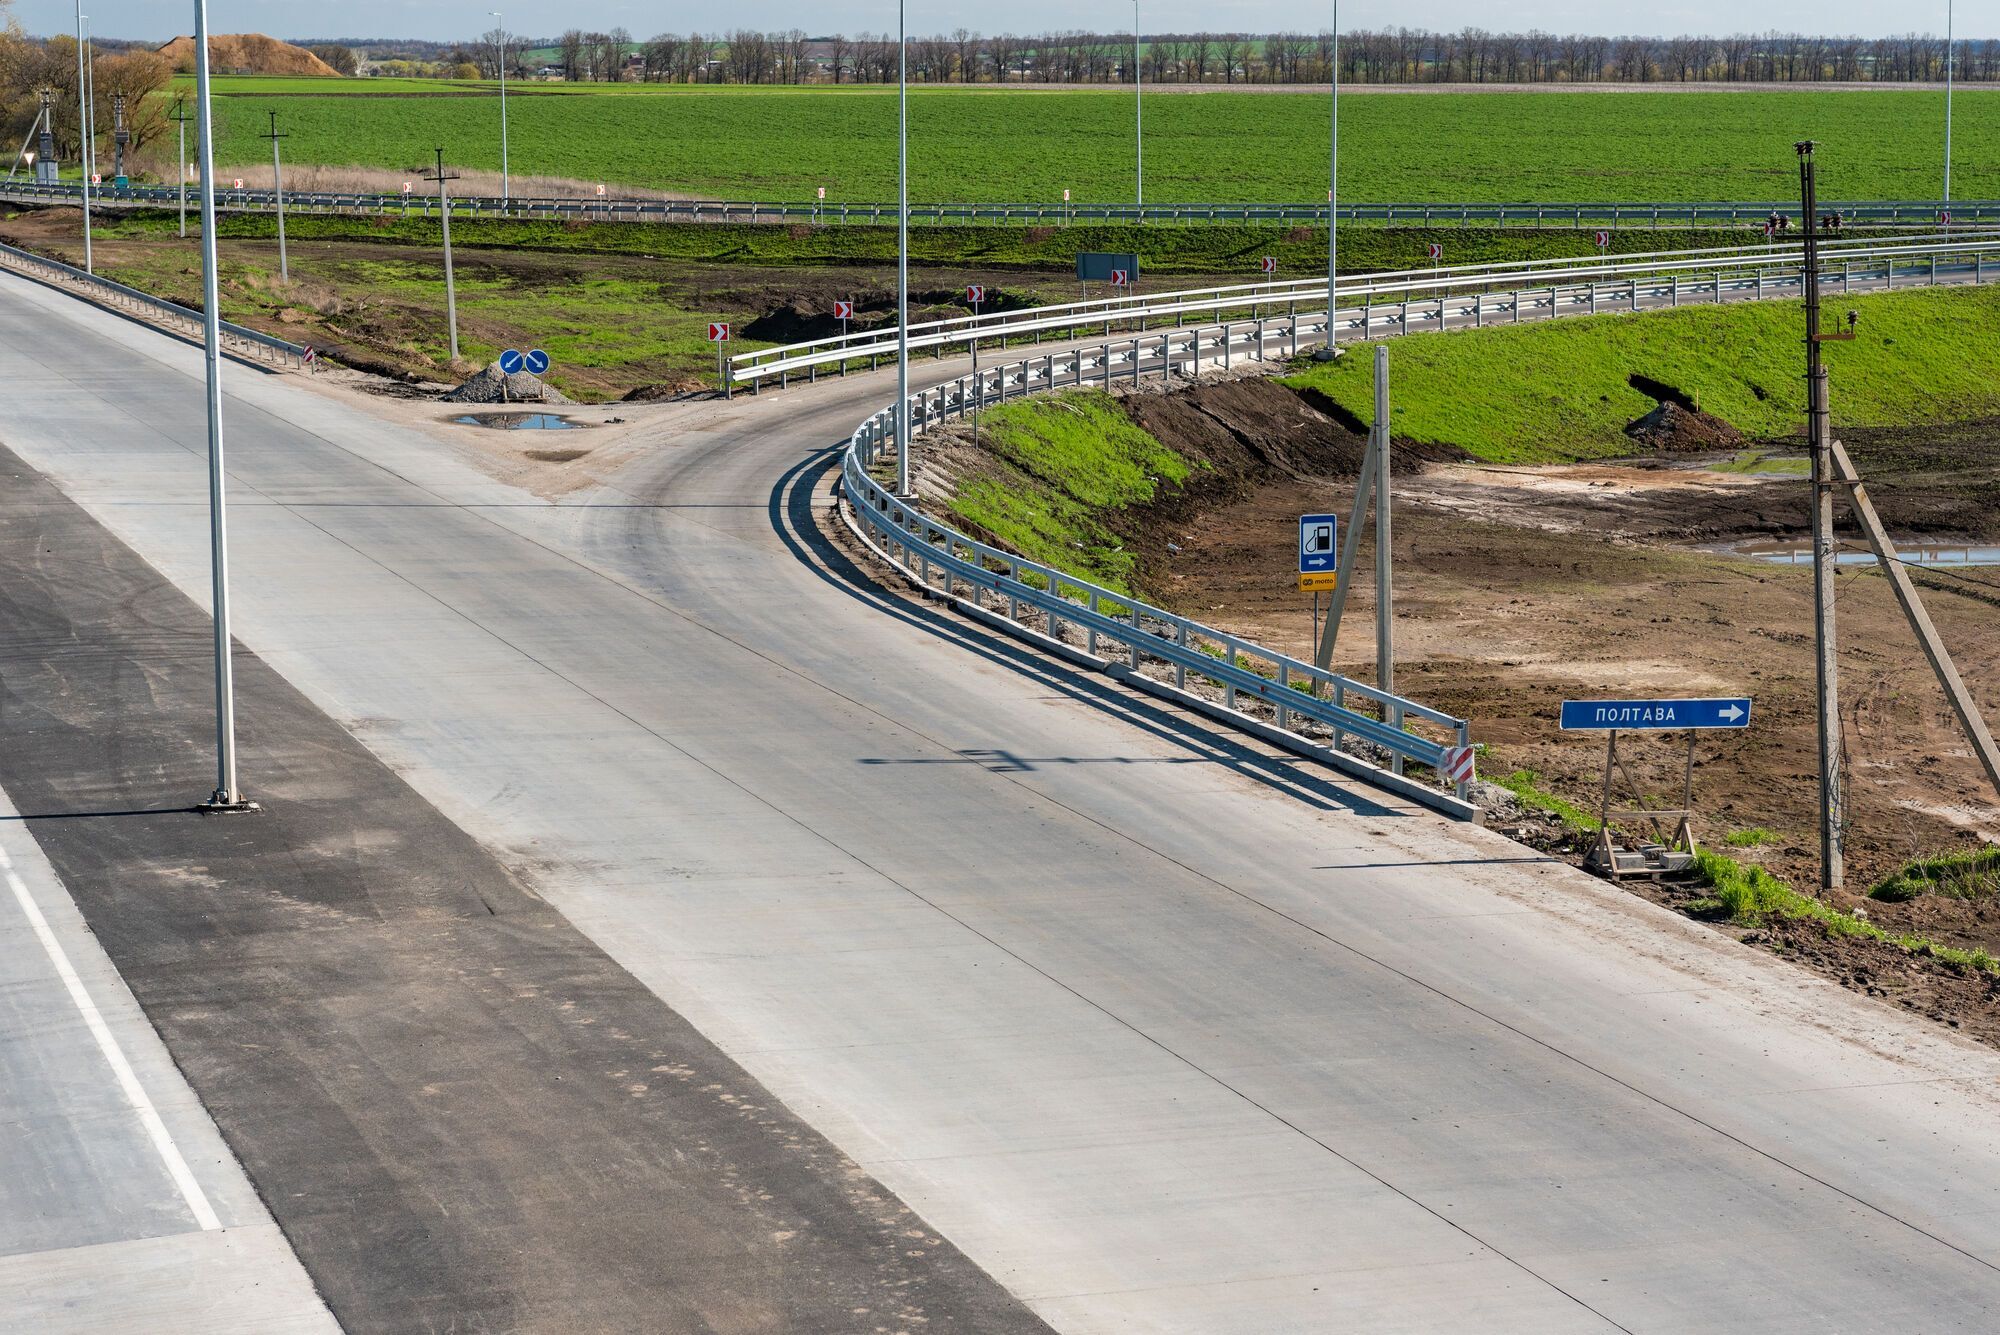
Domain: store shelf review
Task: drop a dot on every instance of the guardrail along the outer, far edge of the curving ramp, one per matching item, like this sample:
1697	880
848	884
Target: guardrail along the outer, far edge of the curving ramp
1257	301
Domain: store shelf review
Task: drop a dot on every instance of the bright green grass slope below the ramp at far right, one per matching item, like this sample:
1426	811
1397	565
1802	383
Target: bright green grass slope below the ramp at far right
1541	395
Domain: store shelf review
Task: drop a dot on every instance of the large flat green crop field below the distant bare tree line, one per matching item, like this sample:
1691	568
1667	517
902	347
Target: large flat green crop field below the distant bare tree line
1023	145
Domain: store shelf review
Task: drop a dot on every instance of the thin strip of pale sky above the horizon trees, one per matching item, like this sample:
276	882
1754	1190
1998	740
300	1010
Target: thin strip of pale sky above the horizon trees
429	19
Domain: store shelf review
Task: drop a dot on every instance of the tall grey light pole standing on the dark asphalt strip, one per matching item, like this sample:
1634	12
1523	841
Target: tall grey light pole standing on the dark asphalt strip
227	796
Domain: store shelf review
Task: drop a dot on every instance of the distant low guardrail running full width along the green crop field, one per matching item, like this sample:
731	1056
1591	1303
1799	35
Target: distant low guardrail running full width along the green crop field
831	213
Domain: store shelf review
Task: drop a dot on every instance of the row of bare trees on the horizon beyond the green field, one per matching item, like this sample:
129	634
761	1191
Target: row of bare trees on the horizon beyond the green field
1385	57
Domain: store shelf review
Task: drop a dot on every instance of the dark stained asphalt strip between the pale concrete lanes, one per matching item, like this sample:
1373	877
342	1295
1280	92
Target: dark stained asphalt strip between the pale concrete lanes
461	1112
